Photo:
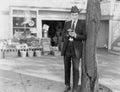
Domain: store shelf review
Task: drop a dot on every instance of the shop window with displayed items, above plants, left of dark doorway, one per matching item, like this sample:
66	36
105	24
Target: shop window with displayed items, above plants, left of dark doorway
24	21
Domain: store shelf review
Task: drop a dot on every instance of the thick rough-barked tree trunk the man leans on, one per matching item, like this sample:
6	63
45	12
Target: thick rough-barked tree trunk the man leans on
89	78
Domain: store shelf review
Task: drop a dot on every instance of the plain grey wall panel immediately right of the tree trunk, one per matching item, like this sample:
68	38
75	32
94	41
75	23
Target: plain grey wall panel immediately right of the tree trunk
102	38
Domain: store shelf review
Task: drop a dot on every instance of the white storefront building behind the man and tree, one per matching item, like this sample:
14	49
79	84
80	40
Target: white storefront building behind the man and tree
57	12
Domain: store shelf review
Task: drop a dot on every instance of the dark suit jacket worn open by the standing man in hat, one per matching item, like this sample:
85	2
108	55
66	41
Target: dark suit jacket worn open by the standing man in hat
81	35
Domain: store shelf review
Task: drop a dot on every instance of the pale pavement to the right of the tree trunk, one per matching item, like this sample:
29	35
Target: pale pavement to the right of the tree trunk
109	70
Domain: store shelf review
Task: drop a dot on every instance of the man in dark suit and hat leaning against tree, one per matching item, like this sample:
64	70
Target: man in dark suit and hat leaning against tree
72	37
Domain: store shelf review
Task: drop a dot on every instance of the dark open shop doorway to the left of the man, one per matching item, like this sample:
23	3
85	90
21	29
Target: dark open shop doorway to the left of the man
54	31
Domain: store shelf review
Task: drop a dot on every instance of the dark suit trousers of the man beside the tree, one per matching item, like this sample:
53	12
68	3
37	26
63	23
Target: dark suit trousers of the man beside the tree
71	59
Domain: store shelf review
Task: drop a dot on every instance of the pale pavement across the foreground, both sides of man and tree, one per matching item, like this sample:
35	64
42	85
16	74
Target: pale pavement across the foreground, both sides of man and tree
46	73
